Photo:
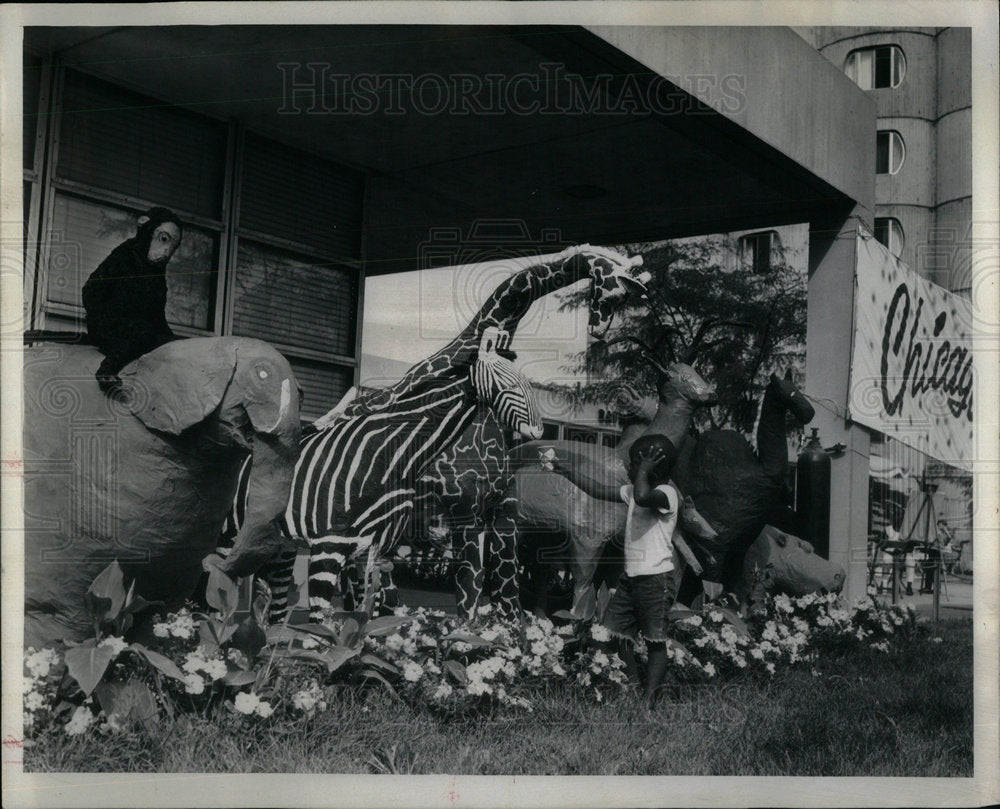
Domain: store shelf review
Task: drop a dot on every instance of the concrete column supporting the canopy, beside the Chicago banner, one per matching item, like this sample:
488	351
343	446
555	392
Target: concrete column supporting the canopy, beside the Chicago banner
829	335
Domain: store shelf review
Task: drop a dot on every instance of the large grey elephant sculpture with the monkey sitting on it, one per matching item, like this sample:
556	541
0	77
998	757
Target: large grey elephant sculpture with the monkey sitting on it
147	477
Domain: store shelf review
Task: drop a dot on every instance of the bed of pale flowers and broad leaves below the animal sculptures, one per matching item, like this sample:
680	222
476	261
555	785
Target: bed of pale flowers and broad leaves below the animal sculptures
218	661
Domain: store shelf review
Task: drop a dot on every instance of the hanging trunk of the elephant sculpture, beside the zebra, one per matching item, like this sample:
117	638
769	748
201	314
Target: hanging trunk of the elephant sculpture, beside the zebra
268	492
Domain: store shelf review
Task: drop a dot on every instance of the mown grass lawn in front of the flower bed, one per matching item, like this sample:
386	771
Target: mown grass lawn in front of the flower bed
857	713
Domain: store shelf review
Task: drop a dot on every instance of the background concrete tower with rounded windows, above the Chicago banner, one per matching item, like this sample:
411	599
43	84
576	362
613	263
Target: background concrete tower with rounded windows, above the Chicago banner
921	82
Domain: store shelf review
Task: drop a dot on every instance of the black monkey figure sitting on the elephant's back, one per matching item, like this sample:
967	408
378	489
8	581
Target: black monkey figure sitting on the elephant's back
126	296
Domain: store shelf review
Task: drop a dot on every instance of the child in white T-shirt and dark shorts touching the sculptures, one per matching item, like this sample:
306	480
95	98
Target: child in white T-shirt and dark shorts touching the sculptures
648	586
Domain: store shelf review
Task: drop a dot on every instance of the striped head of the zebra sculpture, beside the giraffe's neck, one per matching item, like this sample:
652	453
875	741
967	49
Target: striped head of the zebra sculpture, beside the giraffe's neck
502	387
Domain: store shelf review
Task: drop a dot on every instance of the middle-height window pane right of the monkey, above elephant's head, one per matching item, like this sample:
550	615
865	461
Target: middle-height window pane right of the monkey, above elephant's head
288	299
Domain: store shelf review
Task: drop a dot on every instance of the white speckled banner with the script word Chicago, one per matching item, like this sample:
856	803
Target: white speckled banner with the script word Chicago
911	362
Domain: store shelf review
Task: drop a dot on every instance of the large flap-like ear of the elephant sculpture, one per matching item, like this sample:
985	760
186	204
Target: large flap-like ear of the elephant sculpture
179	384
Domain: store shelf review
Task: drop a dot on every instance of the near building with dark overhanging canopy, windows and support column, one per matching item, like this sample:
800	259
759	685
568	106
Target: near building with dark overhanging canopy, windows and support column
307	158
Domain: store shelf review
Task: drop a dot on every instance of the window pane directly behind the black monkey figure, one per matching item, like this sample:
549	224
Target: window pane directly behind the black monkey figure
84	233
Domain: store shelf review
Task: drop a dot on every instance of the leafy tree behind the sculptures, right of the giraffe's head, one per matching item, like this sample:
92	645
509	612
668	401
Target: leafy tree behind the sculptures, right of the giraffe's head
691	286
